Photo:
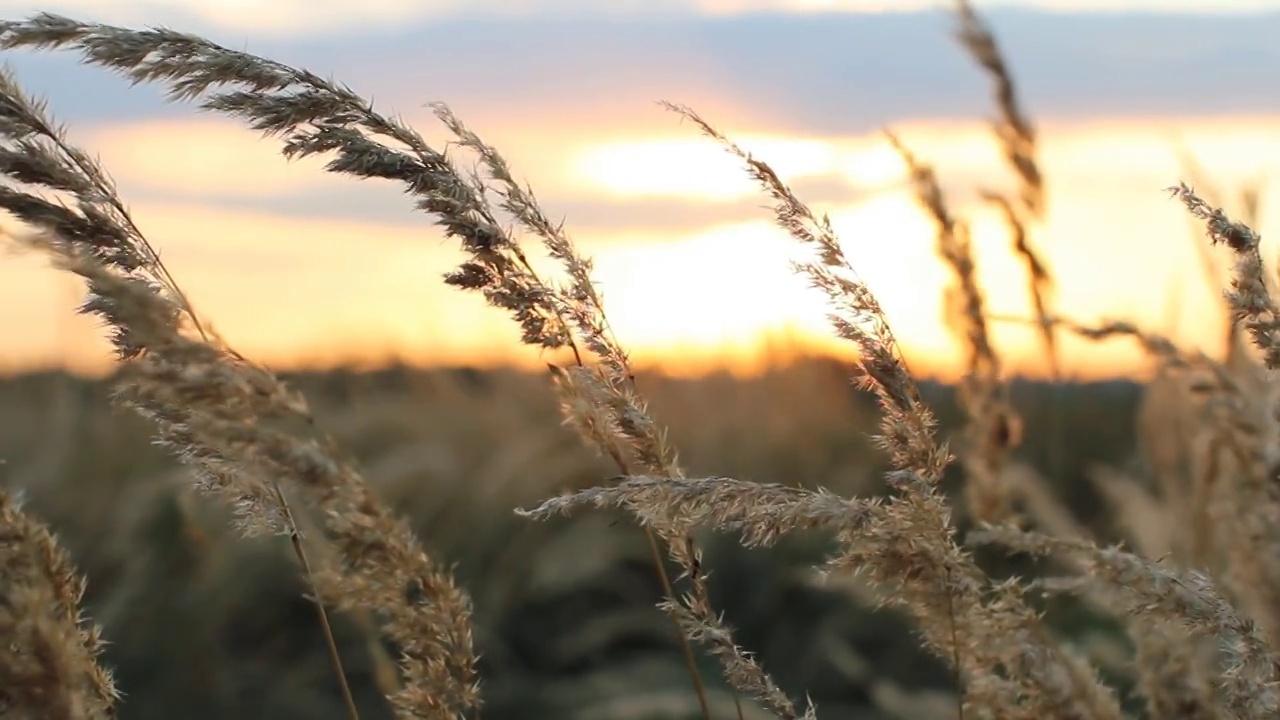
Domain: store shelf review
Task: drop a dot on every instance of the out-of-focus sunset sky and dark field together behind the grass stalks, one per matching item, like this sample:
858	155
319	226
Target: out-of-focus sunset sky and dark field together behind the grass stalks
339	285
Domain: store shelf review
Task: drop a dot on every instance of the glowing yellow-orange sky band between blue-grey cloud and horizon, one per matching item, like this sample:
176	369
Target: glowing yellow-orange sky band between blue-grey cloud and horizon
693	272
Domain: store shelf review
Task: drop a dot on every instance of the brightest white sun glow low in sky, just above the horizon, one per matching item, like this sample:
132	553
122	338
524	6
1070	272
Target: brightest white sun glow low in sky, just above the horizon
729	288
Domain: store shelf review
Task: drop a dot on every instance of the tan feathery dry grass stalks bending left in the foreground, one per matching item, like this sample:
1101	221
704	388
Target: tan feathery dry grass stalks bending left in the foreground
255	444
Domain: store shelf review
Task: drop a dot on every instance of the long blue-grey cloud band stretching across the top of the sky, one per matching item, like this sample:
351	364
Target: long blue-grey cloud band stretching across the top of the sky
802	74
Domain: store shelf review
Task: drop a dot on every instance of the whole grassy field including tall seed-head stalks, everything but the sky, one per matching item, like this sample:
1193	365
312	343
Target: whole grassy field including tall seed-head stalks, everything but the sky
835	540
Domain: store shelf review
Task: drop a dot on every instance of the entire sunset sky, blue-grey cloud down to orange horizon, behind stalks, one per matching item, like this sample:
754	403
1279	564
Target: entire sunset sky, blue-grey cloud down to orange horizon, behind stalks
295	266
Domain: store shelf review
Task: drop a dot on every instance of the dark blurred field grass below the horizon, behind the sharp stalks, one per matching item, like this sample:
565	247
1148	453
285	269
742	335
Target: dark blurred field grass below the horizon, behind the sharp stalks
204	625
